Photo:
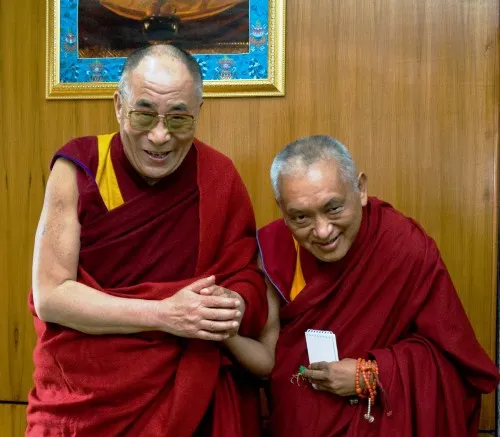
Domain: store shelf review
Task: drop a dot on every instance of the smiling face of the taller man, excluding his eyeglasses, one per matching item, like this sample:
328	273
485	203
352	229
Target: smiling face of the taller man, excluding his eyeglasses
162	85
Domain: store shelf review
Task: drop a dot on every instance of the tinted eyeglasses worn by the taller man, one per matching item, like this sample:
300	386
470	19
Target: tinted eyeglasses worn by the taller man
146	120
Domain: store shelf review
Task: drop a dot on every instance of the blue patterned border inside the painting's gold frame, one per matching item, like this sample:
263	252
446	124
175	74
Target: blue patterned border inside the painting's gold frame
245	66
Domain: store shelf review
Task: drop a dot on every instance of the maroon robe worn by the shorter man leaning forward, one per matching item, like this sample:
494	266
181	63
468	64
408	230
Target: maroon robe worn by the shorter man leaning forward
390	298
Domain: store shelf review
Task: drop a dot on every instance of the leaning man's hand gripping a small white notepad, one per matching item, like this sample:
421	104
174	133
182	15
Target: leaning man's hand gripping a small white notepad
326	372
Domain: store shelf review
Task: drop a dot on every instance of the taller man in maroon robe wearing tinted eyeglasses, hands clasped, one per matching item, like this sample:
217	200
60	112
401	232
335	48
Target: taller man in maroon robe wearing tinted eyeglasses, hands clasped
144	266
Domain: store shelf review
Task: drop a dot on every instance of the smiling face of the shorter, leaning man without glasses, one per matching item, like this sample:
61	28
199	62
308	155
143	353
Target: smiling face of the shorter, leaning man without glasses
321	210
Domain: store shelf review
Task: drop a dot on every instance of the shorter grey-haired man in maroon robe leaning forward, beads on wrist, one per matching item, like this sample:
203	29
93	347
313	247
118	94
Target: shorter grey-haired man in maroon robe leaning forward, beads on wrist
410	364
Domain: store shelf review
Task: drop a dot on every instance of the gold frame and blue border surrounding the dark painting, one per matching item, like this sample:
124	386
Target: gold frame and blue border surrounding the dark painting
262	66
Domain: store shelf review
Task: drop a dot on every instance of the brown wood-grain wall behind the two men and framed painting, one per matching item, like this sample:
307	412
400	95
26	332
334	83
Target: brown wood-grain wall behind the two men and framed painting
411	86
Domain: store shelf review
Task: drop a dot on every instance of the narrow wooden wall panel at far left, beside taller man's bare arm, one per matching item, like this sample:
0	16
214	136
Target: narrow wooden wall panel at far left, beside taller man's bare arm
21	184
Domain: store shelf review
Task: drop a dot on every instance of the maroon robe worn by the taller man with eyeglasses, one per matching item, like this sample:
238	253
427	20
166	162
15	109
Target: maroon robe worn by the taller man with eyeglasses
153	384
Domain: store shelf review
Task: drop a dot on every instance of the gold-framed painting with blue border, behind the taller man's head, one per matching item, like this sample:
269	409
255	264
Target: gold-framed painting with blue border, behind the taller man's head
239	44
